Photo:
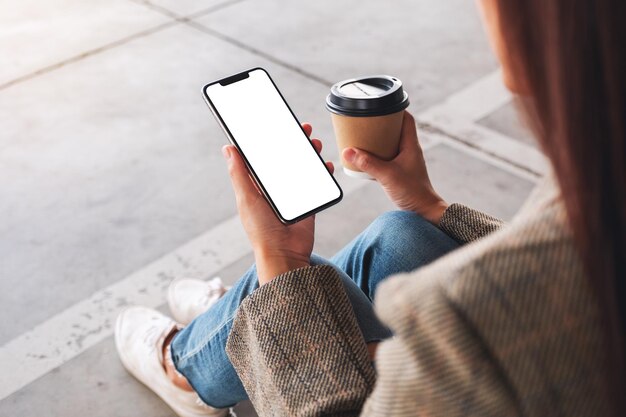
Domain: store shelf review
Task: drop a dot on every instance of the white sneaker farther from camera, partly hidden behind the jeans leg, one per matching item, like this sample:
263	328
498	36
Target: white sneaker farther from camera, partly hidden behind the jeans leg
188	298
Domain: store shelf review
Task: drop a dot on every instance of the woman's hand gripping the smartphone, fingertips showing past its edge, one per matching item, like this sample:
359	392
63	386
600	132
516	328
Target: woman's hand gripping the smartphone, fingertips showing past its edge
278	248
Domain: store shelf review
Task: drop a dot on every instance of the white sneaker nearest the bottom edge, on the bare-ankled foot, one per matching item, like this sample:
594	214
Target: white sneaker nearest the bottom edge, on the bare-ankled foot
139	336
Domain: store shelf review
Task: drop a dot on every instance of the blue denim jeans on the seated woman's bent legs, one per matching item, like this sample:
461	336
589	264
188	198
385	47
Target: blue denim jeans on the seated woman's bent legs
397	241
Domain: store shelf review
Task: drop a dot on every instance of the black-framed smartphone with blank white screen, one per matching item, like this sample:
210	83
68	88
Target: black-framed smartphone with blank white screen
280	157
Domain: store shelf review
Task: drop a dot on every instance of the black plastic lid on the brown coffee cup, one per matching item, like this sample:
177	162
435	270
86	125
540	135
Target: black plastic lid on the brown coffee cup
375	95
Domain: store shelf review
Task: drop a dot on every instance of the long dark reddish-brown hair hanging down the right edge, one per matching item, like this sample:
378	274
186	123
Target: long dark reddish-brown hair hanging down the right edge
572	58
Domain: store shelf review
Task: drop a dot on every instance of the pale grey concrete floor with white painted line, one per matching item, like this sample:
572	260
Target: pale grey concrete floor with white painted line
111	172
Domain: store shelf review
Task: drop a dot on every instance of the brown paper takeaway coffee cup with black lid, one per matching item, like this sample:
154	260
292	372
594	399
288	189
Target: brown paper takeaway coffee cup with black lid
367	114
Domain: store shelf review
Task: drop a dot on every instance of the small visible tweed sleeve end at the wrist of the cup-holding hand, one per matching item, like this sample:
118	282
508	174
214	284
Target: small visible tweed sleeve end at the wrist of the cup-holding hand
465	224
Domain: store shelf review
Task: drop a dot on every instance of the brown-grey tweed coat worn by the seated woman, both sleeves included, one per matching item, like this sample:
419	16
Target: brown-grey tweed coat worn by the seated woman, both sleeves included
504	326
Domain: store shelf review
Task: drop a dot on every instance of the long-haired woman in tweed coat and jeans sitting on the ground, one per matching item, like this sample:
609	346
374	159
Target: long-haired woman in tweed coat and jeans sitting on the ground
523	319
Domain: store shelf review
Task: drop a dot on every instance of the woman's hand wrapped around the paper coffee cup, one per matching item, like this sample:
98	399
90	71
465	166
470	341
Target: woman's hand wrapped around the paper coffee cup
404	178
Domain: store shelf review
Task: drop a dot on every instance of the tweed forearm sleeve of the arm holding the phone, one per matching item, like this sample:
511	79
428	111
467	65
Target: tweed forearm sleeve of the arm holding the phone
297	348
